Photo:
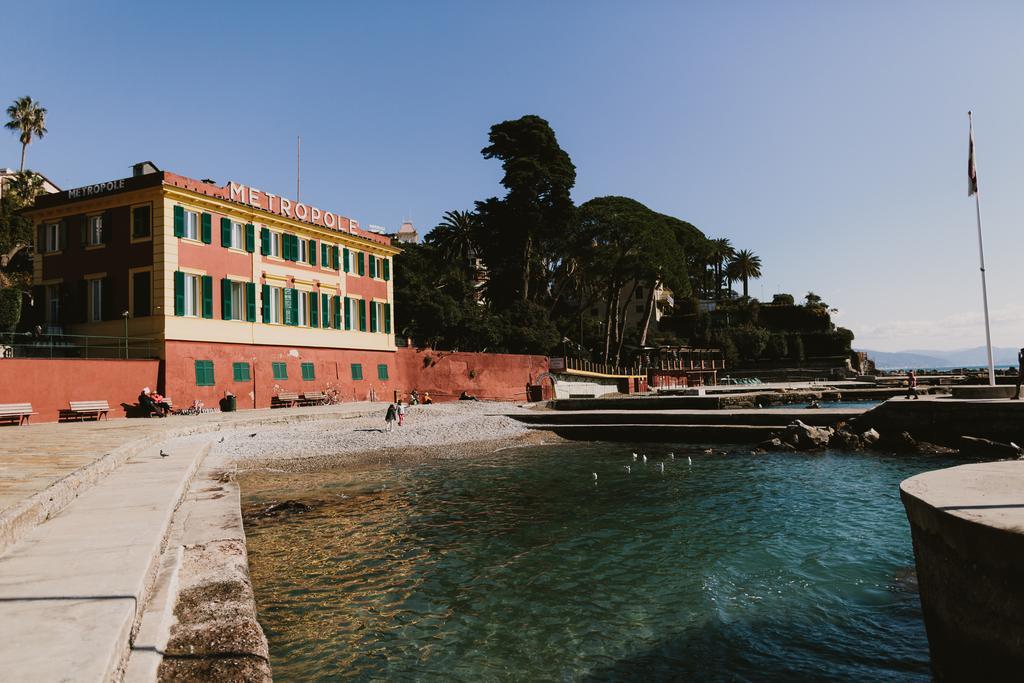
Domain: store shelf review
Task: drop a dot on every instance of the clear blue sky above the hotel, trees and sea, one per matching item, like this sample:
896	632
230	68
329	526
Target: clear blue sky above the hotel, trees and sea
830	140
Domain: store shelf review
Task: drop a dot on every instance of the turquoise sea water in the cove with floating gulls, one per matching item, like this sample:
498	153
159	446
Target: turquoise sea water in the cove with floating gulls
518	567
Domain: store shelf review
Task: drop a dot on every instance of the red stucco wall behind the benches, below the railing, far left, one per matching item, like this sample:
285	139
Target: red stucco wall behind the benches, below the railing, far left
49	386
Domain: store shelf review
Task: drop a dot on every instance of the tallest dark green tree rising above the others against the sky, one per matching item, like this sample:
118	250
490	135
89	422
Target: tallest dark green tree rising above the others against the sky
522	231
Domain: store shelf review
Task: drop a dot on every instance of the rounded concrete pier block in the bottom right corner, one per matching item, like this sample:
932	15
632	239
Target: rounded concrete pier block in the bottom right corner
968	529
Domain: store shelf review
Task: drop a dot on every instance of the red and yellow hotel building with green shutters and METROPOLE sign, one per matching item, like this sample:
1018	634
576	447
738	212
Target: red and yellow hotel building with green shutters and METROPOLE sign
241	291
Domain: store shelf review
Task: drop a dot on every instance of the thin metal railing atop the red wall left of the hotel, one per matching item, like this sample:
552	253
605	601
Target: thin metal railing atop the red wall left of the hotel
42	346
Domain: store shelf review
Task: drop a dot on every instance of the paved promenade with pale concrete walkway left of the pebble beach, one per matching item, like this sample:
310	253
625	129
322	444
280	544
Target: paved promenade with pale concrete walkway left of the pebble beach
77	574
